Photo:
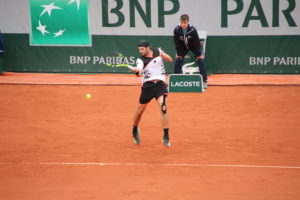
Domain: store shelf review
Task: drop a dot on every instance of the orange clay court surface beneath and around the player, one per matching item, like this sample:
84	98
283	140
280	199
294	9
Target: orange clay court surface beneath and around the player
238	140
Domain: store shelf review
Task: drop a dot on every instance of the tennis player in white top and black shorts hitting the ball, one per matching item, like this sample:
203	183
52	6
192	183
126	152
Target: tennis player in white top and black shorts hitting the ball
151	66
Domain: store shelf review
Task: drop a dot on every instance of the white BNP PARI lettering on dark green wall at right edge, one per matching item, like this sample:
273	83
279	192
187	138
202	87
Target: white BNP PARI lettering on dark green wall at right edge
275	61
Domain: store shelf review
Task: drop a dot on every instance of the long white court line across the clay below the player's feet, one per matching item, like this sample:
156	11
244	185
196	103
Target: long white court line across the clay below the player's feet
177	165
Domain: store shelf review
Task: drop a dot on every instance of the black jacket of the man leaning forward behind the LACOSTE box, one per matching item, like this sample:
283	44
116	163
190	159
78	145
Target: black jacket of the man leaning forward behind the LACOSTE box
188	41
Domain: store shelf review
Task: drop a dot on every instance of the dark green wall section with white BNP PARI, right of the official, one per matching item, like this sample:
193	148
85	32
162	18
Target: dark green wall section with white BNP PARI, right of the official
259	54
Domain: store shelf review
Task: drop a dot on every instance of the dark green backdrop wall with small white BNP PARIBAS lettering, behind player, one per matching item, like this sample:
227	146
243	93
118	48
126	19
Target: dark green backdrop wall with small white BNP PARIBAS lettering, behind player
224	54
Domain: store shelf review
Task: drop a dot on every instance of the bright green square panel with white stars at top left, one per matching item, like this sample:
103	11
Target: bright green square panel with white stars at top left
60	23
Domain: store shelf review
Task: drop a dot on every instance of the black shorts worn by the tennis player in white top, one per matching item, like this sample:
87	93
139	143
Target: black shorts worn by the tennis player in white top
152	90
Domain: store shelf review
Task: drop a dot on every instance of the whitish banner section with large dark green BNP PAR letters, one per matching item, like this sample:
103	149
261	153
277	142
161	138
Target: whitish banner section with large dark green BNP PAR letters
226	17
